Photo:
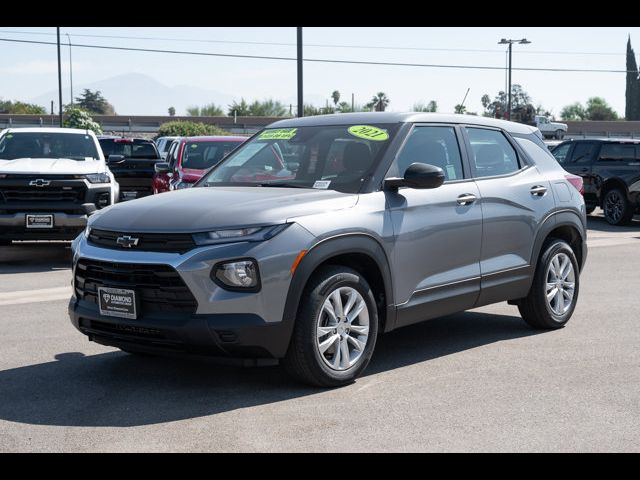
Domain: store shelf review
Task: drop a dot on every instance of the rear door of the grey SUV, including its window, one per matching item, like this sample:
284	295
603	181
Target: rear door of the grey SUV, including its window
515	198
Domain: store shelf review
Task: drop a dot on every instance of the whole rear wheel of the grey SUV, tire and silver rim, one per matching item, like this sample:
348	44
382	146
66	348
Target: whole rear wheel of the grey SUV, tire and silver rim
554	292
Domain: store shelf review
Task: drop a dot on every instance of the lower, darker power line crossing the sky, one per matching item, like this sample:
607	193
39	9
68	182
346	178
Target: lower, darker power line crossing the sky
322	60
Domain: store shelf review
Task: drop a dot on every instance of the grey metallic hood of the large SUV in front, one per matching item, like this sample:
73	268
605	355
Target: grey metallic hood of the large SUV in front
207	208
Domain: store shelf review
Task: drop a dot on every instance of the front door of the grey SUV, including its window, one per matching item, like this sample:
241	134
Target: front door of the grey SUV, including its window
438	232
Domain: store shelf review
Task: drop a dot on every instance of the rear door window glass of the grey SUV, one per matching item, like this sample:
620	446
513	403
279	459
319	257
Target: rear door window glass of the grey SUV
492	154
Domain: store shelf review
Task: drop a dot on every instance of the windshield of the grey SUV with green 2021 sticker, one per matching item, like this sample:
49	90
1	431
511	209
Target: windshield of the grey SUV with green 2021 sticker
323	157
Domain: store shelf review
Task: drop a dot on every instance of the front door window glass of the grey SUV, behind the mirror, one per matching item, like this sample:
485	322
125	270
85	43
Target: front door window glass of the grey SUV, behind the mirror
436	146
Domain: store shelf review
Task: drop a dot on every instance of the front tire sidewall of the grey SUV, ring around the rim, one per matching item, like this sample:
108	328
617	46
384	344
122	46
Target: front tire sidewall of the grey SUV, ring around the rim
319	295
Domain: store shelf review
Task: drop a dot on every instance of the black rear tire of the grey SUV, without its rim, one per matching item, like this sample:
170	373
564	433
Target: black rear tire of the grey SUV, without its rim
534	308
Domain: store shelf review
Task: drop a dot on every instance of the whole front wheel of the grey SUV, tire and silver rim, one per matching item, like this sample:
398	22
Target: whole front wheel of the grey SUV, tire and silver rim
335	331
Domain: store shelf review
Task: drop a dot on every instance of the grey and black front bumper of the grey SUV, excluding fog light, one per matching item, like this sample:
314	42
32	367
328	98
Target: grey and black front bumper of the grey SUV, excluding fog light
225	323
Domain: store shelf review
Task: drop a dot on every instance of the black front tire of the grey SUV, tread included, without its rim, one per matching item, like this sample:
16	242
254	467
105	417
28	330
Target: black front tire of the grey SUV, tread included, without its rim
303	360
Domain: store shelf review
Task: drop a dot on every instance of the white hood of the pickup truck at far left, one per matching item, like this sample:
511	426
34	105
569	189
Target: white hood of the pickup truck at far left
51	166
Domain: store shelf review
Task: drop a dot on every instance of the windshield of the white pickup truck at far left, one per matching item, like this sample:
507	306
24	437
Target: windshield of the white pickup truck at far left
73	146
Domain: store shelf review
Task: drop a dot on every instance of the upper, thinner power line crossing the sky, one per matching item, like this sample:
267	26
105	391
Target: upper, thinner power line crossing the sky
323	45
